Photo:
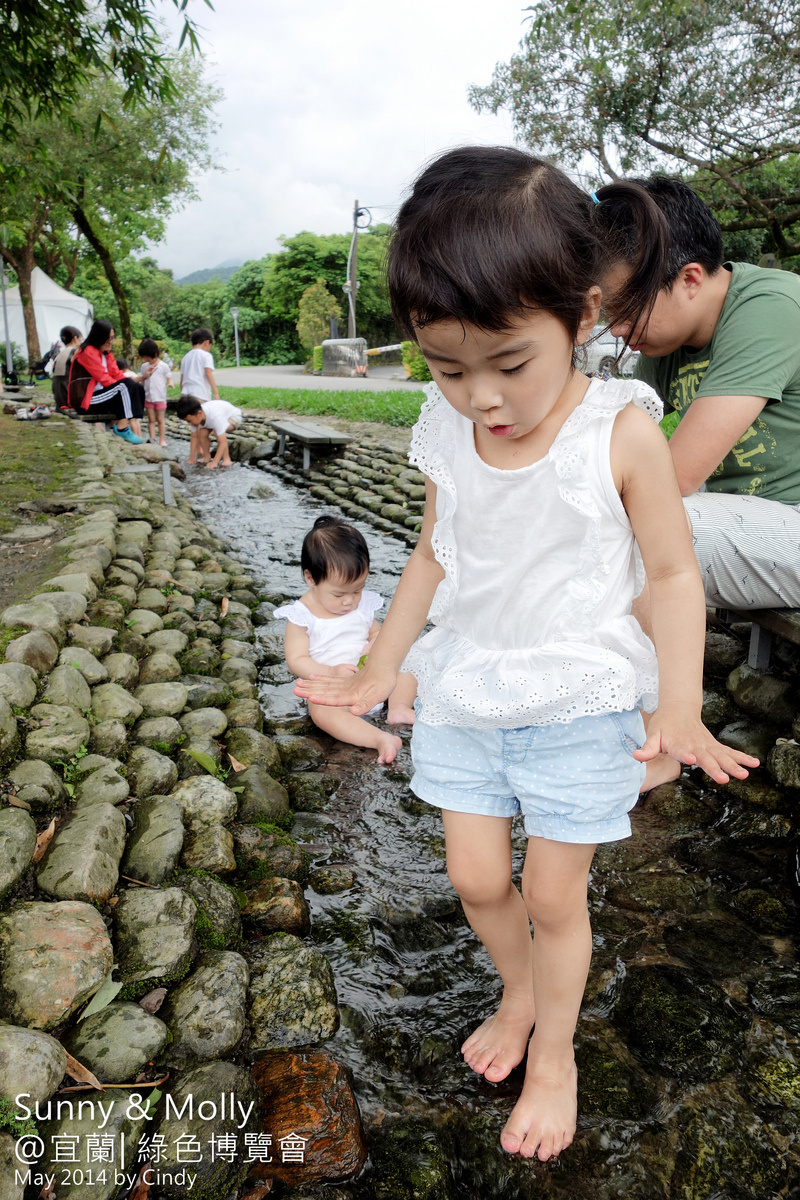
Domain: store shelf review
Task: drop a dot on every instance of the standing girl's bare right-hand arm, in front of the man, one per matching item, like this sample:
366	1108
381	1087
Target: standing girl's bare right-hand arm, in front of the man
646	478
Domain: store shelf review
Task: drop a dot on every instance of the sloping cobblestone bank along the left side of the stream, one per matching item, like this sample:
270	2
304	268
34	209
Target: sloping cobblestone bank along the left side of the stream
130	713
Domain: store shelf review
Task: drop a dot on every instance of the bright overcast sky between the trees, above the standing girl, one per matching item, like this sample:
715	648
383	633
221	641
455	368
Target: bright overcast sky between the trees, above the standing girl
327	104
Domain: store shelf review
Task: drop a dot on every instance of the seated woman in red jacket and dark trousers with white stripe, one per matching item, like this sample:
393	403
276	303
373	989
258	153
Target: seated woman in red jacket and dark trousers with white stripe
107	391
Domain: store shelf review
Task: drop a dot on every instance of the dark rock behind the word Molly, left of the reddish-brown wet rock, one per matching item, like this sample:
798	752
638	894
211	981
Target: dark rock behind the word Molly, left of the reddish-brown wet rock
203	1088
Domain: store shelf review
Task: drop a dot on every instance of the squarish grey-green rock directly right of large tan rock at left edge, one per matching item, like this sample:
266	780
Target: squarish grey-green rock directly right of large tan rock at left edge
154	939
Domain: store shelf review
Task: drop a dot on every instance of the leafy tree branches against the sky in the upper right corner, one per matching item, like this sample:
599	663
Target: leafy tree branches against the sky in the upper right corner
703	87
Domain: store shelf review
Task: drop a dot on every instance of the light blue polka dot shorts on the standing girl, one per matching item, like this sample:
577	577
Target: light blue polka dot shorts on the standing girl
573	783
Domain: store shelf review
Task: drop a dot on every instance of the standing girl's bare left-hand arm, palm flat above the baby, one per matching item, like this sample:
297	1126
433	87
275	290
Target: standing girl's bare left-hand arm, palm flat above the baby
406	620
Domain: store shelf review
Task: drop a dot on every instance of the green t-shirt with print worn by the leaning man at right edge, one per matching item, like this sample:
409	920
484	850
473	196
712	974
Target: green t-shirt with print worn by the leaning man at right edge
755	352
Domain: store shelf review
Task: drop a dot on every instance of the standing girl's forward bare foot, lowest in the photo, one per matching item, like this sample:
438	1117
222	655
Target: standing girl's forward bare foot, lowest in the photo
544	1119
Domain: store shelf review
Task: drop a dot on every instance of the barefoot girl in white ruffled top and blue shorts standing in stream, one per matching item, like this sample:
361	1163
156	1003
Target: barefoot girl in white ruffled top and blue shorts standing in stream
540	483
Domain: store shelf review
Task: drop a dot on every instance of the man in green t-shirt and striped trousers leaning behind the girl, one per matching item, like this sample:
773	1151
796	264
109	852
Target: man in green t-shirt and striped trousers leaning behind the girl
720	343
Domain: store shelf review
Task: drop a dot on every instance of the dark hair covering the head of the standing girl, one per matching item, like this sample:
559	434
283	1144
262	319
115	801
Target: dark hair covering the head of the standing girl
488	235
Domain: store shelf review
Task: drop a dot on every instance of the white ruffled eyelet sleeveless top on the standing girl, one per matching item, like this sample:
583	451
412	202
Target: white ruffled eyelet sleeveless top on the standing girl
533	620
